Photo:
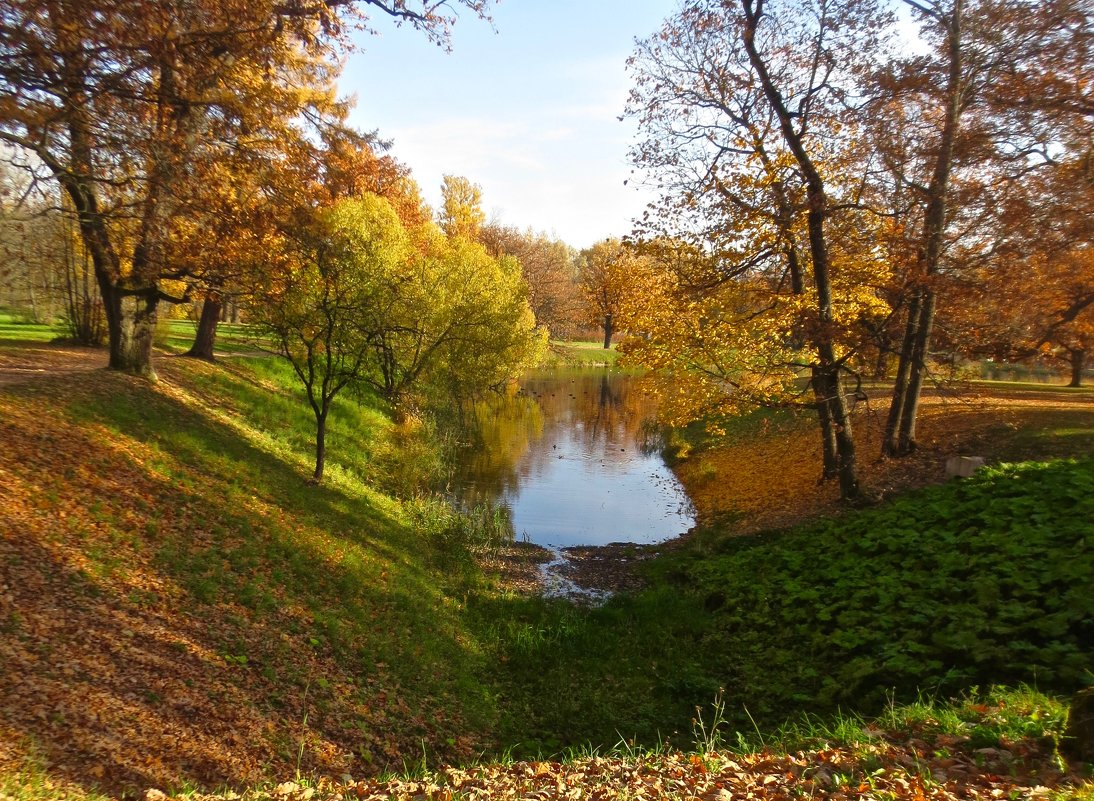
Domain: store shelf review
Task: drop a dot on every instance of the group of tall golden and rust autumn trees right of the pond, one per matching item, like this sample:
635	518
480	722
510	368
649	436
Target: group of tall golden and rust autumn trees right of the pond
836	196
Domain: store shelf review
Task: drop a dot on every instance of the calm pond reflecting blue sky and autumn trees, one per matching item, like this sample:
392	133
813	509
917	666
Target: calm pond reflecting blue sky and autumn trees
567	457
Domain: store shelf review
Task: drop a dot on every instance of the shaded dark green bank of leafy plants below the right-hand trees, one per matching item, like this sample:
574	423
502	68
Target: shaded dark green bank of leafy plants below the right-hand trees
973	584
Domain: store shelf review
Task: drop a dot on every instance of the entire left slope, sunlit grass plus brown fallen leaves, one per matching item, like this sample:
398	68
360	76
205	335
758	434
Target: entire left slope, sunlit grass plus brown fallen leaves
178	606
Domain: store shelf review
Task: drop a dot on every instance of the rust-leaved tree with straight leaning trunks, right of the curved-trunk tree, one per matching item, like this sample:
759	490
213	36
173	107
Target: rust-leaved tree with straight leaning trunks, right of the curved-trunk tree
1003	83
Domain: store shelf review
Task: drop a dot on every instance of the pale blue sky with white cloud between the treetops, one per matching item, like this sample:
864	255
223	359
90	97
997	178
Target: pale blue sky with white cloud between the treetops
529	110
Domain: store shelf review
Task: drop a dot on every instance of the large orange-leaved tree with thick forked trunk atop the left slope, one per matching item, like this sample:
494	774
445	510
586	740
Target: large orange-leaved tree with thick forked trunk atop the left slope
114	100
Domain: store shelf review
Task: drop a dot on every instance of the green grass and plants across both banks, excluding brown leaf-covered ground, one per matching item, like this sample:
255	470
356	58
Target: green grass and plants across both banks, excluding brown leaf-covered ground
899	608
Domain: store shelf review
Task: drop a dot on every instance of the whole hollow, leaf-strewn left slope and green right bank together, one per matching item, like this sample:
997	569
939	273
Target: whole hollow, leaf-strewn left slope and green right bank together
183	610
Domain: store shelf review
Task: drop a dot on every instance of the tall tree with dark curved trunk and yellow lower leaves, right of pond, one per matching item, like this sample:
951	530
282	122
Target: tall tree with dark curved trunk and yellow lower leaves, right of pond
744	107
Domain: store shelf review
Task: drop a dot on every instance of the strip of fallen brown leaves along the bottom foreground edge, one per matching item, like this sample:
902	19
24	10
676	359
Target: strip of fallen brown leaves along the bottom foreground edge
892	768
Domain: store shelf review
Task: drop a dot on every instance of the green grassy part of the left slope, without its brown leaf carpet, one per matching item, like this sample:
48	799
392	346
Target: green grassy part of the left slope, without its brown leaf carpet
329	595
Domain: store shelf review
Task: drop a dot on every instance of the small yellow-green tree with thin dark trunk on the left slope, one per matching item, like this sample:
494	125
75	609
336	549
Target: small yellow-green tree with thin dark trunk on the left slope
355	297
